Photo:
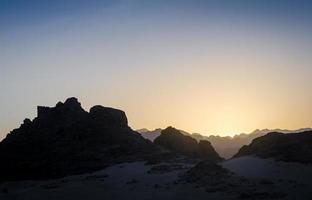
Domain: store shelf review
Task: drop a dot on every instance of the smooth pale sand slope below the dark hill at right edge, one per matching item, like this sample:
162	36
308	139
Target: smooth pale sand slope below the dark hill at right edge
293	178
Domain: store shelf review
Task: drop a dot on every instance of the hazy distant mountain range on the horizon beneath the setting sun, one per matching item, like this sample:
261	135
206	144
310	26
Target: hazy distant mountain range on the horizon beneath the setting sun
226	146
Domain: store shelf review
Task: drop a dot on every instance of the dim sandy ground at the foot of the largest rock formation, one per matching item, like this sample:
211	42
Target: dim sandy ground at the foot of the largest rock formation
124	181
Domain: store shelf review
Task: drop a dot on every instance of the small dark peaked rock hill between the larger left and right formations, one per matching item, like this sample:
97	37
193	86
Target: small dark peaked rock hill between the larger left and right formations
171	139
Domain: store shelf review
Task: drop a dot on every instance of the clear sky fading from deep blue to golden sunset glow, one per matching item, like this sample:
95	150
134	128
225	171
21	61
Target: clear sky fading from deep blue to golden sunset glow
208	66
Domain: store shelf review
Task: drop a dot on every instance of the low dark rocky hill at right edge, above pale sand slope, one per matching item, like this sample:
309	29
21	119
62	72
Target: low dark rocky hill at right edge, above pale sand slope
294	147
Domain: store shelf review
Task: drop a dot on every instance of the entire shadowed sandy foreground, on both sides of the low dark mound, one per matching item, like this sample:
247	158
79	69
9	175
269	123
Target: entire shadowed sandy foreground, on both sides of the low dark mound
139	181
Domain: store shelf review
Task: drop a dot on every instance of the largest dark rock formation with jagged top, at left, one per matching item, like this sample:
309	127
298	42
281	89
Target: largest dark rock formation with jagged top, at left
66	139
